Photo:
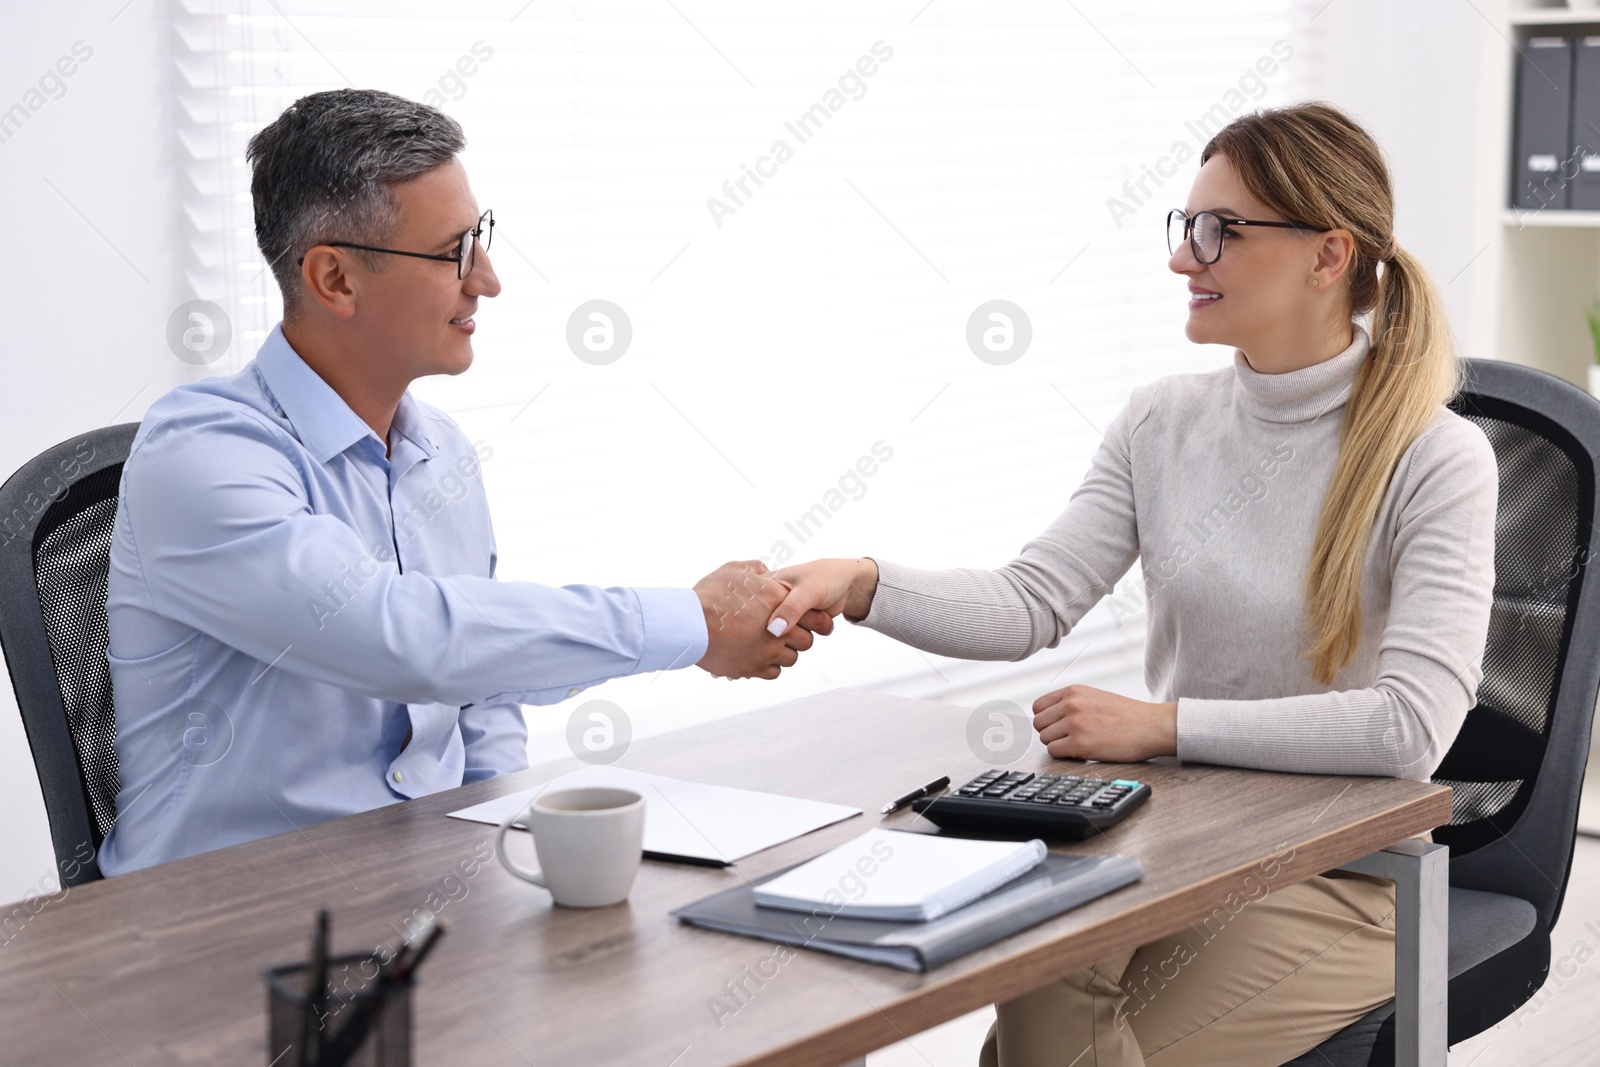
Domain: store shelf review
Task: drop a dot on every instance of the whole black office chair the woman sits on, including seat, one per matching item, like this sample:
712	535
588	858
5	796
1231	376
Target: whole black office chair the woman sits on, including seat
1518	765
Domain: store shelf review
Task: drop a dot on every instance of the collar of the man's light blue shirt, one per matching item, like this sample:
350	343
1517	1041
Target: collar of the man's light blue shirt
321	417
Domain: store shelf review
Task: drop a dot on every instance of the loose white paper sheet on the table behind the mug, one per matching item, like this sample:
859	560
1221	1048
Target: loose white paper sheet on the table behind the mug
689	820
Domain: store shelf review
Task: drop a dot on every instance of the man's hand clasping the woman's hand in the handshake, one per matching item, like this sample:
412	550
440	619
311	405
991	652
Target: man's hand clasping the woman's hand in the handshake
738	601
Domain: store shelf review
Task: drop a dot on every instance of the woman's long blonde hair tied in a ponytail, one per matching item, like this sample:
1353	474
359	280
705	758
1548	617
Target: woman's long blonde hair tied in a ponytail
1314	166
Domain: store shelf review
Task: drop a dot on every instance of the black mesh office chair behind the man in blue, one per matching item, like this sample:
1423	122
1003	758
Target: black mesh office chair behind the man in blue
55	546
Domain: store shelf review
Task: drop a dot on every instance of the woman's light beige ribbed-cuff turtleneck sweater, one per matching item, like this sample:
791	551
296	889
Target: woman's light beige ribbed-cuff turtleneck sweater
1215	482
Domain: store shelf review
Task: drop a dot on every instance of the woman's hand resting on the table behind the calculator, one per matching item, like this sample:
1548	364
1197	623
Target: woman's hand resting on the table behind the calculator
1086	724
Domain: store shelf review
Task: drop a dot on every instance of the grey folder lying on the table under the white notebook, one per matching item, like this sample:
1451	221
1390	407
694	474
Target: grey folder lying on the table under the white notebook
1055	887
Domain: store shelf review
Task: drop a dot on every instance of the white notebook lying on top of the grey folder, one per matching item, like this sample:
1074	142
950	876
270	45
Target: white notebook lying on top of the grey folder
897	876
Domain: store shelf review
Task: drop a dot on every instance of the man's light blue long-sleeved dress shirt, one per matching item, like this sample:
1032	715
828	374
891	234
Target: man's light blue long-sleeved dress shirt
286	604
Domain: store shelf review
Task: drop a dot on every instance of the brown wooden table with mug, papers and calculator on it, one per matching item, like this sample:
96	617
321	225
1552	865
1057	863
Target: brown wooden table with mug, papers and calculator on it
164	965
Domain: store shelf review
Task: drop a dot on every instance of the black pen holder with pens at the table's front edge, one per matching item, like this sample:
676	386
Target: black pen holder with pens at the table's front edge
351	994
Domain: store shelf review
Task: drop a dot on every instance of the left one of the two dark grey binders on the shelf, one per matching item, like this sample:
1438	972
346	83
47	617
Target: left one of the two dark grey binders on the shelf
1543	170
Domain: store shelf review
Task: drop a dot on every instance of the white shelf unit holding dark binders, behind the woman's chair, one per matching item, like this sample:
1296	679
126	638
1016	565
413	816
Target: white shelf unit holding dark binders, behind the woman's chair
1548	260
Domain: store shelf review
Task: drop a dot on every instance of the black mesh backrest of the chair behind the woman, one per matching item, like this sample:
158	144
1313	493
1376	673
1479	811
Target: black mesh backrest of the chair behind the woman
1518	765
